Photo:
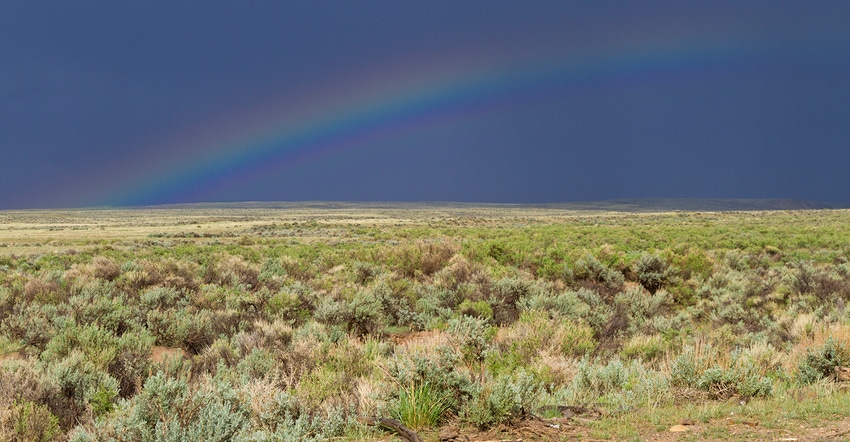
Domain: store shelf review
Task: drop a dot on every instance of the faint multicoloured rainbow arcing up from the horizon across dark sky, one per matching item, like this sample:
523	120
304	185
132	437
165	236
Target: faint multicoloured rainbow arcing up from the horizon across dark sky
281	140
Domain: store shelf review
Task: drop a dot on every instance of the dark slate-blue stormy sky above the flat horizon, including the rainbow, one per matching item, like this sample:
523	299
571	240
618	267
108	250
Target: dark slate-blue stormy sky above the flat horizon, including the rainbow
106	103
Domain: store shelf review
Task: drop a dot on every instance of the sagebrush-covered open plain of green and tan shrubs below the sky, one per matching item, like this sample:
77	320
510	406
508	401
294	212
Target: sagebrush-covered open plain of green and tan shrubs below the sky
298	321
